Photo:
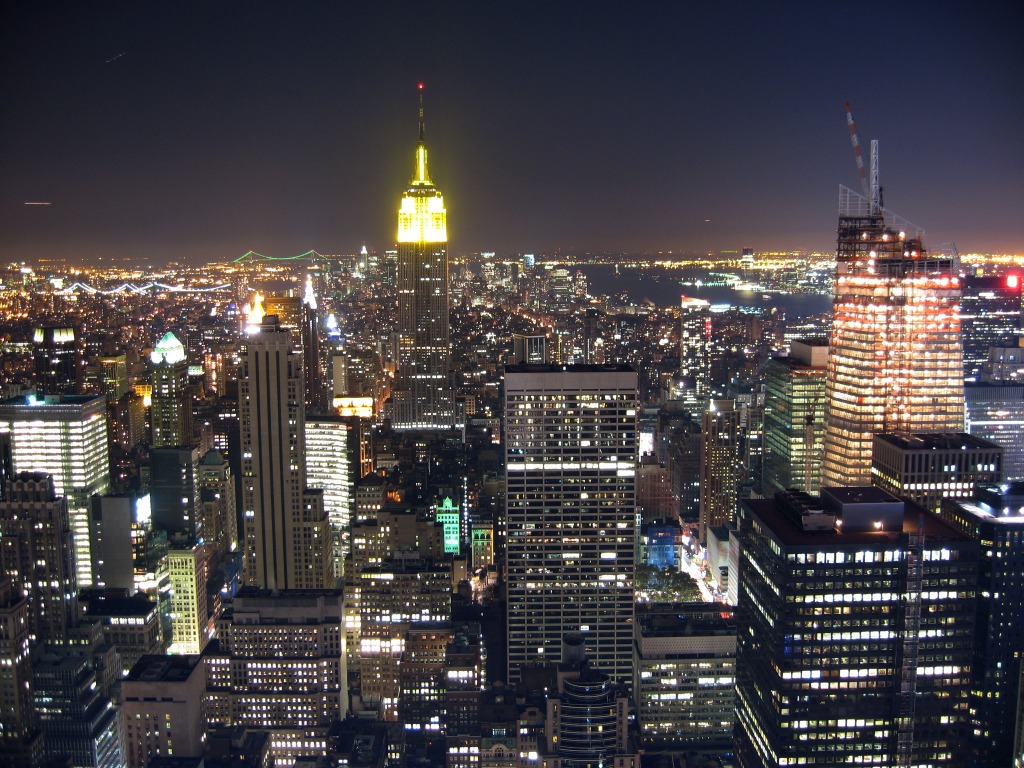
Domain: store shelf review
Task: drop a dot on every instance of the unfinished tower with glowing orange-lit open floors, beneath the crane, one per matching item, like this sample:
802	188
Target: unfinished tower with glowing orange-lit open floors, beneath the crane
895	362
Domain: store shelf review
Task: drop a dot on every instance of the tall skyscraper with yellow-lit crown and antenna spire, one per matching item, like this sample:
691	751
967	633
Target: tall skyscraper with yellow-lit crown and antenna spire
423	399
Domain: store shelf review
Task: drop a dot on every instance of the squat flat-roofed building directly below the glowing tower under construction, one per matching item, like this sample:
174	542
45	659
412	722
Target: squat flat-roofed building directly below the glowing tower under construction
931	466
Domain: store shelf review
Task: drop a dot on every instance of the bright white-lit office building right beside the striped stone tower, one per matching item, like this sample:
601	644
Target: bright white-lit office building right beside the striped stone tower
330	467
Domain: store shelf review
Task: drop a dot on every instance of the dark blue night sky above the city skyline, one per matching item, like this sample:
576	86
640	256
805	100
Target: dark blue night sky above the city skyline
198	132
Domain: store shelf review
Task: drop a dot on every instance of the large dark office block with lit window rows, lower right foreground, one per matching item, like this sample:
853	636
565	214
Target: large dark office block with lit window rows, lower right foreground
856	632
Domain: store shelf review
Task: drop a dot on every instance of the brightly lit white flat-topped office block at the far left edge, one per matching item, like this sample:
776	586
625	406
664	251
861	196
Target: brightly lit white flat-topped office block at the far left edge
64	437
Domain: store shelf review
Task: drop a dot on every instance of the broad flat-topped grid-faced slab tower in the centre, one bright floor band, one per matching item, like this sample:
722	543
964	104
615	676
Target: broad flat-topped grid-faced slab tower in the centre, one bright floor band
571	437
